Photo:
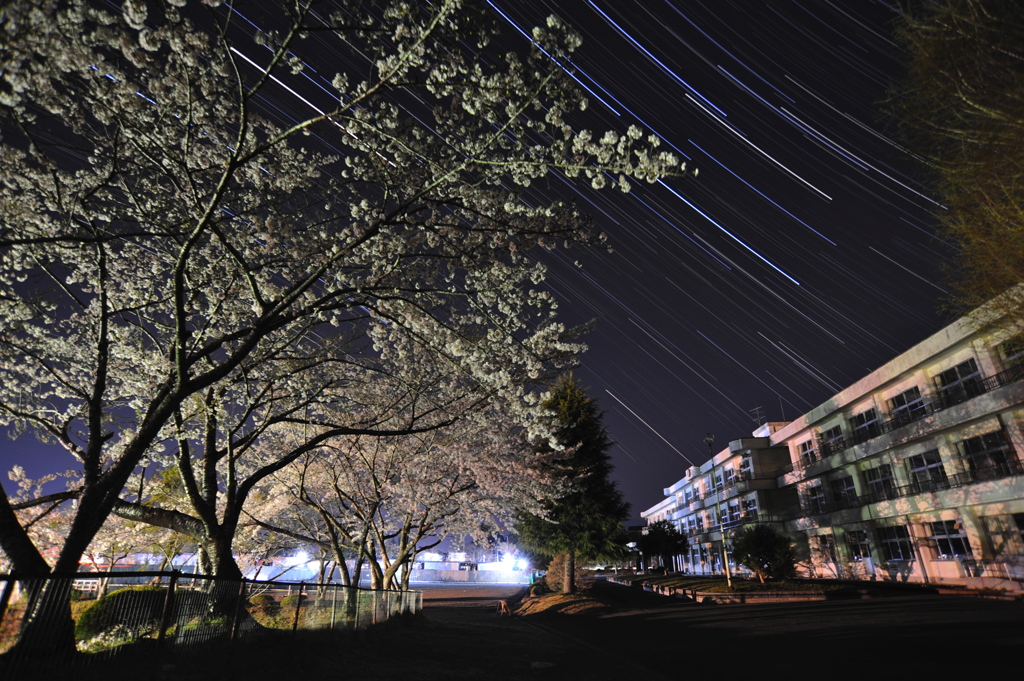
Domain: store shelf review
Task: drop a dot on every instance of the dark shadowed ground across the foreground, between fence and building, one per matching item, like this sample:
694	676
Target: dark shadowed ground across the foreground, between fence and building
630	635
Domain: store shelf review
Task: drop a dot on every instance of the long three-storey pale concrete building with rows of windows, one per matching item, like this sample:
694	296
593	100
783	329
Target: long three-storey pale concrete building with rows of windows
913	474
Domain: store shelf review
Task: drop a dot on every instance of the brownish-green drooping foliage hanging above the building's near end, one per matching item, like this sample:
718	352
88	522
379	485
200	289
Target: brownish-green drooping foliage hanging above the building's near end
961	108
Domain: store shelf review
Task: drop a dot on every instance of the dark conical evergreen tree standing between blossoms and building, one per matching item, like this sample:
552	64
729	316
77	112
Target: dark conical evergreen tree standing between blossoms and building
586	523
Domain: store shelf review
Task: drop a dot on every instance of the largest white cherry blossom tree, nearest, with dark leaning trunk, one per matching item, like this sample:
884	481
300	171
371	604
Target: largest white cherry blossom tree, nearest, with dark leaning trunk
169	231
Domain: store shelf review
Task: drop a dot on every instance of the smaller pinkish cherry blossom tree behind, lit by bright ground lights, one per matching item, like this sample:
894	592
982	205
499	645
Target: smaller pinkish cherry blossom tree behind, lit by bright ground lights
383	501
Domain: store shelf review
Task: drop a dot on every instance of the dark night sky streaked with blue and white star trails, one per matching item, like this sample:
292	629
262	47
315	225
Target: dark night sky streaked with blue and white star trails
800	259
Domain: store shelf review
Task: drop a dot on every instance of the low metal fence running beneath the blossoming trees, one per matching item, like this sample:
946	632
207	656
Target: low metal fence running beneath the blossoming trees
170	614
